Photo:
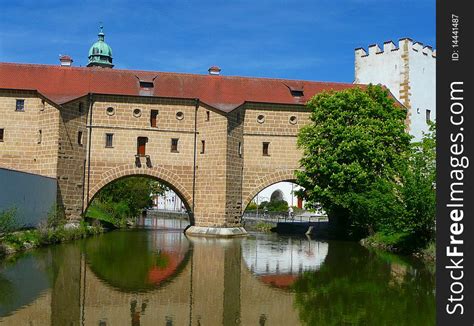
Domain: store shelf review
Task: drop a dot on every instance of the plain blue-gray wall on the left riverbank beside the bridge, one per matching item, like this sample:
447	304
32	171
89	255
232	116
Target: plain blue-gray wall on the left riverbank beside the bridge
33	195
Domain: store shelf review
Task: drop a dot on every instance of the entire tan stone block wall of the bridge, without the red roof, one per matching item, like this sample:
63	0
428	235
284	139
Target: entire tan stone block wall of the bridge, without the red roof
215	182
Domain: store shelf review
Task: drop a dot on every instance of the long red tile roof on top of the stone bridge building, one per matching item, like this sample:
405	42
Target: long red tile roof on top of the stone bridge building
63	84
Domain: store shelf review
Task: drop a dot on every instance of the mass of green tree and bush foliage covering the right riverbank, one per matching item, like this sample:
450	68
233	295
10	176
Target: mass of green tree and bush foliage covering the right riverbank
359	164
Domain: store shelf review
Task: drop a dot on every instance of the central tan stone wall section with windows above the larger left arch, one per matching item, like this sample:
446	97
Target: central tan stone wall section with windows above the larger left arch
110	163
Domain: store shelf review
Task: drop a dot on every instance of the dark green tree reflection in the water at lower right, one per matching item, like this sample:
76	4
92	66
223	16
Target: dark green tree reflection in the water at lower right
362	292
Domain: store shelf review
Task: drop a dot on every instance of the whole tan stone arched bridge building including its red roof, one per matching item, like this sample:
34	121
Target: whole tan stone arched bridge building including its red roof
215	140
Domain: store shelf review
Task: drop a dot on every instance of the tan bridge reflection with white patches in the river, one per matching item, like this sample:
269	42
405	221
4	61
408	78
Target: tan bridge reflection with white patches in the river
207	290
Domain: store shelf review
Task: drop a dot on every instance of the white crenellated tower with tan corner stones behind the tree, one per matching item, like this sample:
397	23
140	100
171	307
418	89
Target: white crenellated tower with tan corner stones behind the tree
409	72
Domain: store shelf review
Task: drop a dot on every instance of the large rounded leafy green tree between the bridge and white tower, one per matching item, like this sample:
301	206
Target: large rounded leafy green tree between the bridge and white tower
353	152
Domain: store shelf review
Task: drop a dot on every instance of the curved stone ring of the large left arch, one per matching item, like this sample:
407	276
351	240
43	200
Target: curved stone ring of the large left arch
165	176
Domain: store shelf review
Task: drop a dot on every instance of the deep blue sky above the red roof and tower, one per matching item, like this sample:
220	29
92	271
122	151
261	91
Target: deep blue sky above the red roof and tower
311	40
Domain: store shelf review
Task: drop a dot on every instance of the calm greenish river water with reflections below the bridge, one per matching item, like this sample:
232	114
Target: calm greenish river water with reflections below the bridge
161	277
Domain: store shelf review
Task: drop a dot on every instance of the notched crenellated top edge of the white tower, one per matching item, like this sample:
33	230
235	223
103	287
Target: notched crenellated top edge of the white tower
390	46
